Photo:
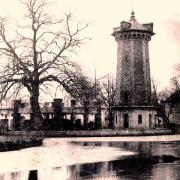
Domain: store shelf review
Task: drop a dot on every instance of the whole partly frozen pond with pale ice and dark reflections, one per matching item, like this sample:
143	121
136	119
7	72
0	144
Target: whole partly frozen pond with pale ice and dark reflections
150	157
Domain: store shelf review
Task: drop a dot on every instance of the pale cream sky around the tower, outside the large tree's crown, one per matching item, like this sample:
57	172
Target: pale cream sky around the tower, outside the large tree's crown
103	15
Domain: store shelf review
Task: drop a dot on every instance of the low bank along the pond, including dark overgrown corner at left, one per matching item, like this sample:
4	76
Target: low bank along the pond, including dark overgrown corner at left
15	140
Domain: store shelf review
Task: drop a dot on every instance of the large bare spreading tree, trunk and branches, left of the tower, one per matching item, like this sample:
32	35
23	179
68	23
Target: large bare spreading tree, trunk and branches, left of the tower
40	55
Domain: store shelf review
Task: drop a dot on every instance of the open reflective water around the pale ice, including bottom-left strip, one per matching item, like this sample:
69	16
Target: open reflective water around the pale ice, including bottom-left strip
155	160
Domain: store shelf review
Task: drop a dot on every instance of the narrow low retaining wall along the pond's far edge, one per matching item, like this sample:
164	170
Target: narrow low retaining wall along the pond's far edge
93	133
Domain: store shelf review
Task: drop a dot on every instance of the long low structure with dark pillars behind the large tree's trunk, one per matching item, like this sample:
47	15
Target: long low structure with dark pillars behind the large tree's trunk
55	115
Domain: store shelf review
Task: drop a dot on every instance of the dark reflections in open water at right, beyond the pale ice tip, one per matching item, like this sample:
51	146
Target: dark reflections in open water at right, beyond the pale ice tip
155	160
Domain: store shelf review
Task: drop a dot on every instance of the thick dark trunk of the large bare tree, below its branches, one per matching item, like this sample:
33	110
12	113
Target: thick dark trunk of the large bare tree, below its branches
36	116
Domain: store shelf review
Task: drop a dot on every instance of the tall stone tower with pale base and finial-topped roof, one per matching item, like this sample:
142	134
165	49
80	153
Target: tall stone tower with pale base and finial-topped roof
133	83
